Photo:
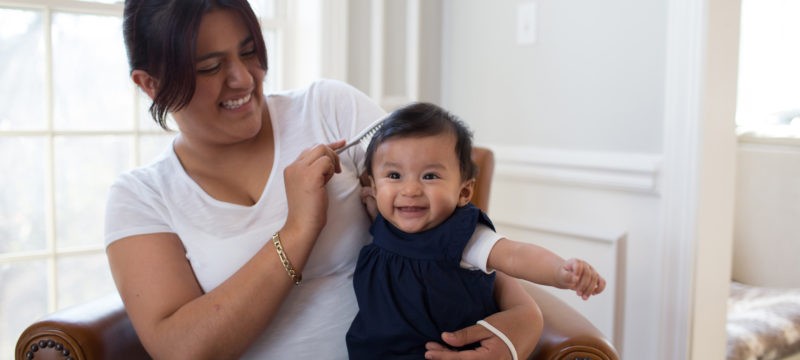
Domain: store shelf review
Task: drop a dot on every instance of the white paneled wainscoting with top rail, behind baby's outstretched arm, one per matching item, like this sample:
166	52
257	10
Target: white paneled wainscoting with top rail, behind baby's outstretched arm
603	207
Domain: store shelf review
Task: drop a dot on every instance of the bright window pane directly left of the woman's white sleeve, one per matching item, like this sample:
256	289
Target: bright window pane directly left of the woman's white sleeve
85	168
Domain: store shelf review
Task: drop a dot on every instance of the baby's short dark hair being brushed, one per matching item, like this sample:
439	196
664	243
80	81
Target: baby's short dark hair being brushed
425	119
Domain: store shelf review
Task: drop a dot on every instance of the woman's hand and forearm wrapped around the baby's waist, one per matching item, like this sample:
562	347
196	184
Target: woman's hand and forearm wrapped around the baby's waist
519	319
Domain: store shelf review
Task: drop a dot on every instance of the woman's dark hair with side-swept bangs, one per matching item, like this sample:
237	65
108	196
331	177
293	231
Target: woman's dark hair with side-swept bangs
160	38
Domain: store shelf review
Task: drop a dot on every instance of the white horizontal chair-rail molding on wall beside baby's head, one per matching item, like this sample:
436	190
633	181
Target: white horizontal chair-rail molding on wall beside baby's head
632	172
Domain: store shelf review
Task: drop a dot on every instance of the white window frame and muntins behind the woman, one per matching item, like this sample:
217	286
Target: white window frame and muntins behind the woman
51	253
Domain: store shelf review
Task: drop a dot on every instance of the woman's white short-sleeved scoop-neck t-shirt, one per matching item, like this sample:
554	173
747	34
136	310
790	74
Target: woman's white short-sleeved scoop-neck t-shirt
220	237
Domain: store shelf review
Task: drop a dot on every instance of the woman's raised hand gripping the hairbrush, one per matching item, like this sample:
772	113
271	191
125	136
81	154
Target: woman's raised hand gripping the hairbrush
305	181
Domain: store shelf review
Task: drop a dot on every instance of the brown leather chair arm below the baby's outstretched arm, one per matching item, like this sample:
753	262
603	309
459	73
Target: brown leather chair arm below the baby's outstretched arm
567	334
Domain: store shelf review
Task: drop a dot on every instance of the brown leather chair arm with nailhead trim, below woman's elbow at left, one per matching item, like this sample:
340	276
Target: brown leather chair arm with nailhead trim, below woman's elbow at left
99	329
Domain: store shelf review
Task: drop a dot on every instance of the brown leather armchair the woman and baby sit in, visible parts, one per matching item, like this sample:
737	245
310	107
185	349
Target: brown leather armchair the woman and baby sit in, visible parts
100	329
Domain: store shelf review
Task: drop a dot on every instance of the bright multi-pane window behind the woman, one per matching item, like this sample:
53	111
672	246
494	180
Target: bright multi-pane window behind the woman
71	122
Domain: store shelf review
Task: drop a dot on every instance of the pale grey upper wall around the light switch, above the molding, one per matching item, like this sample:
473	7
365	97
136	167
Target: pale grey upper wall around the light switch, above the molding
594	76
